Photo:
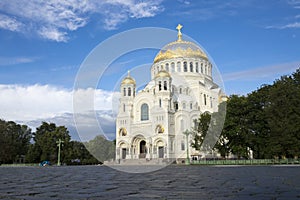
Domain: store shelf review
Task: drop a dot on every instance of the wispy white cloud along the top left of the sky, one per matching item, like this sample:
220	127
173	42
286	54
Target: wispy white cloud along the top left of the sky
53	19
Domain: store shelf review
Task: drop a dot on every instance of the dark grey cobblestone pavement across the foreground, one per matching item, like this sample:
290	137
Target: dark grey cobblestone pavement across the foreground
172	182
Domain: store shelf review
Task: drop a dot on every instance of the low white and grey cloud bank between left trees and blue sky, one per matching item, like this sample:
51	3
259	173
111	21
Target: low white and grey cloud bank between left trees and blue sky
34	104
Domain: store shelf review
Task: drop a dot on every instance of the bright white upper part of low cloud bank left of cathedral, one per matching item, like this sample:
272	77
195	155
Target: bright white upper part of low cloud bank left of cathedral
32	102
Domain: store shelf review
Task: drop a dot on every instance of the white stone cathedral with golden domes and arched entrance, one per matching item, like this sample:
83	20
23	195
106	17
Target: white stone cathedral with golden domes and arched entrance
151	122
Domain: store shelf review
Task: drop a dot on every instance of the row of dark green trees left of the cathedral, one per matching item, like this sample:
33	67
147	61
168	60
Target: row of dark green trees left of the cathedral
19	142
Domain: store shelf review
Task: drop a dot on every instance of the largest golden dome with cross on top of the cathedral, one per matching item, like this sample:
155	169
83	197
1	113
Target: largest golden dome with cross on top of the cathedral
180	49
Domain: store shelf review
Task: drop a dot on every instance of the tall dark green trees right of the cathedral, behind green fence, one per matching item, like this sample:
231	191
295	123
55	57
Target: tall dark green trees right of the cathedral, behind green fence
265	122
